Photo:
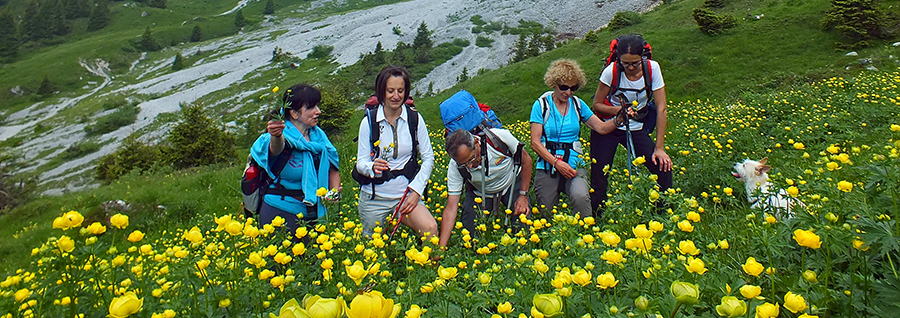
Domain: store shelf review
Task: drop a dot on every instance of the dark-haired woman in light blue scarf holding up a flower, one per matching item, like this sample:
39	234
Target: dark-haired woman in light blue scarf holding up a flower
311	160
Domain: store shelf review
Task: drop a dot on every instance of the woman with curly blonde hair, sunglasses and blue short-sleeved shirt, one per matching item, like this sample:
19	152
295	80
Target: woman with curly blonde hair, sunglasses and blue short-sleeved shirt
556	119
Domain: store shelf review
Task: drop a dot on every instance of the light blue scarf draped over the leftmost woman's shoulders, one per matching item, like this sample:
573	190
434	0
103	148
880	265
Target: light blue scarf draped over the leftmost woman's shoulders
313	177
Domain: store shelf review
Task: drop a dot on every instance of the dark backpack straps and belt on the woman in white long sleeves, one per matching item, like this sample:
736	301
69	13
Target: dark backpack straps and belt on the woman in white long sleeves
411	167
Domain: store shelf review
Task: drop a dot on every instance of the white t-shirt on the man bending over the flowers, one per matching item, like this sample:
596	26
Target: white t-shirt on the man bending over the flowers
500	175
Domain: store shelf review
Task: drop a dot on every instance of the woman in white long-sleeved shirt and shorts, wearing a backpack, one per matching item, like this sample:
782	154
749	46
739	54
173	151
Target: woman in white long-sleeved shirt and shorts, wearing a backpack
391	180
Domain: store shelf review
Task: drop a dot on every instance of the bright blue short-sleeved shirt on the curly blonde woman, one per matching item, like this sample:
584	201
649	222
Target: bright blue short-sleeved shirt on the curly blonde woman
559	128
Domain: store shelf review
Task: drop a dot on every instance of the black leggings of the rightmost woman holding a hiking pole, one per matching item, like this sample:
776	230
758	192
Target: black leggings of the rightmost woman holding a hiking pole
603	149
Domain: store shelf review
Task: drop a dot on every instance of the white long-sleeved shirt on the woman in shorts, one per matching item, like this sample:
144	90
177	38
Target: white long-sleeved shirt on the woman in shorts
396	148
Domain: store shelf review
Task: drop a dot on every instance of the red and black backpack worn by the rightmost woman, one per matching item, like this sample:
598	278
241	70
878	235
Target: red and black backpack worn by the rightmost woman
646	114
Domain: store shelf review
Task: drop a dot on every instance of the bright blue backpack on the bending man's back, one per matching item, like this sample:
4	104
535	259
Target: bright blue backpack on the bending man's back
461	111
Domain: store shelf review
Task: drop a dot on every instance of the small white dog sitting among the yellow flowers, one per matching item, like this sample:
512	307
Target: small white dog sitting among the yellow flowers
756	180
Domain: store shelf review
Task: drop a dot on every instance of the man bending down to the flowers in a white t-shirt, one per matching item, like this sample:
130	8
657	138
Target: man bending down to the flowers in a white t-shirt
507	181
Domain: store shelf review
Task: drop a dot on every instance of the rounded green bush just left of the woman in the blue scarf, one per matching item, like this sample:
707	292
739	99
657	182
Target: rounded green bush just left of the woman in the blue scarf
197	141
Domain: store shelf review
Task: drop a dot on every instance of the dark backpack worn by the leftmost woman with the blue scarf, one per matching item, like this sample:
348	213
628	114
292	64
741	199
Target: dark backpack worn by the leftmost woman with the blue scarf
255	182
